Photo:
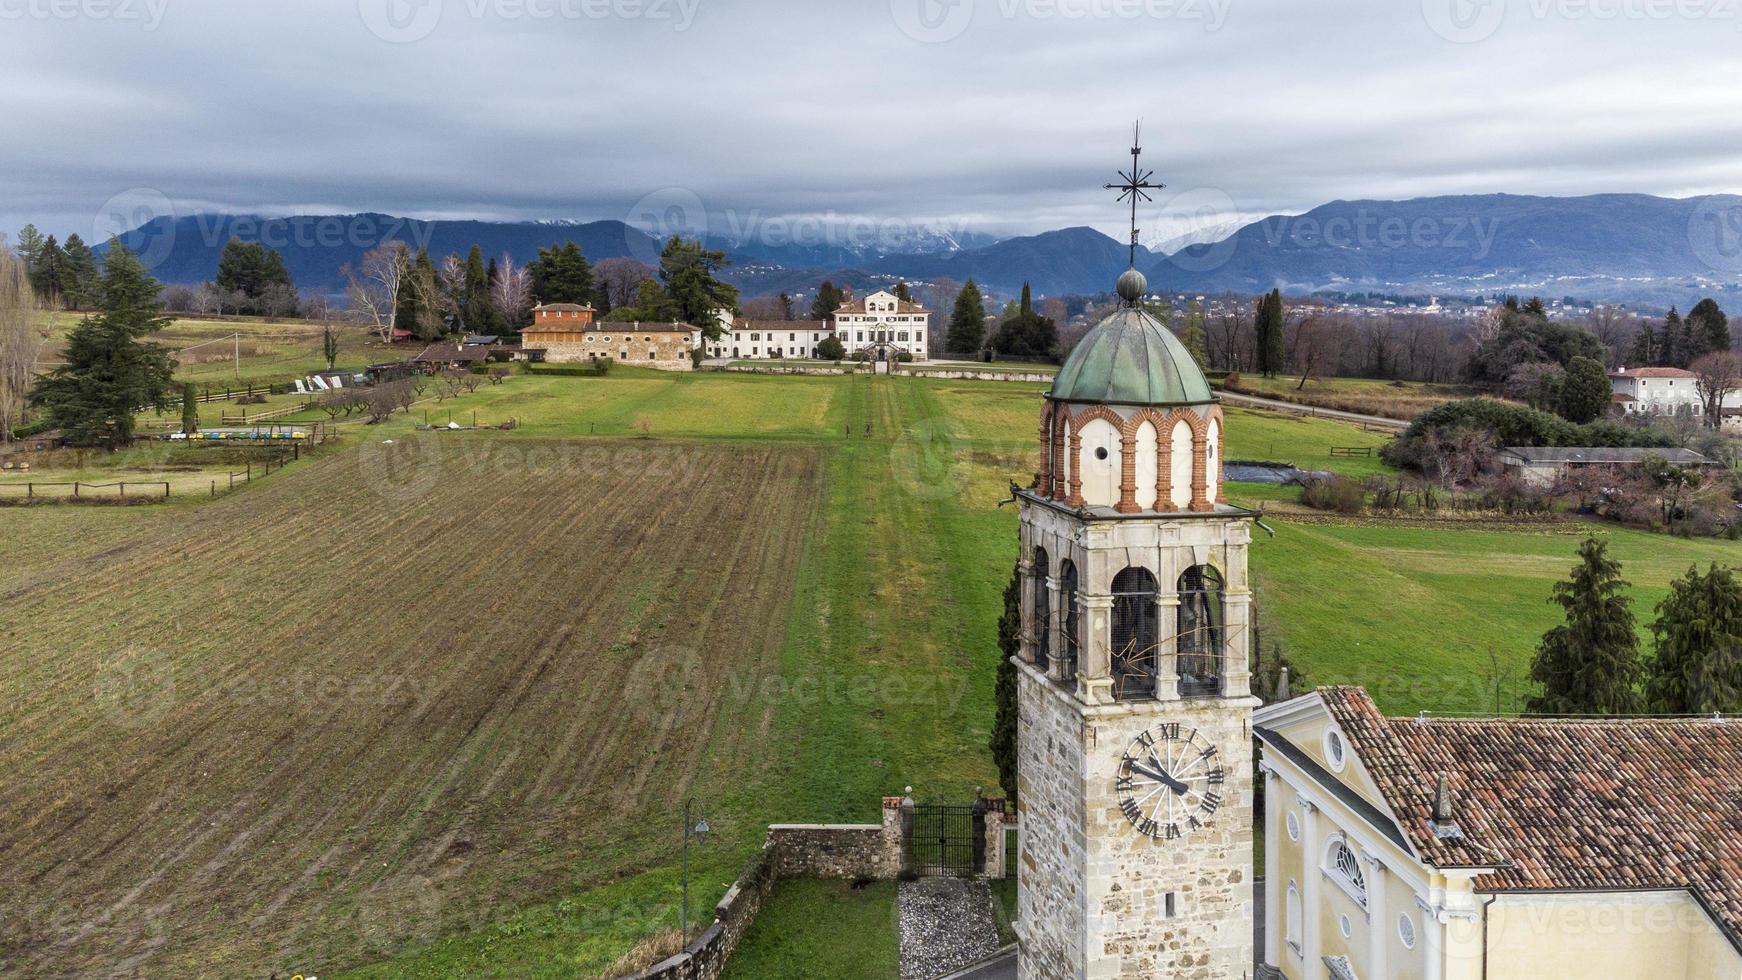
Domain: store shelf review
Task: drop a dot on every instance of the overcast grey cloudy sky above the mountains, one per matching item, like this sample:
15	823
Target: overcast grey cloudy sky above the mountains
994	116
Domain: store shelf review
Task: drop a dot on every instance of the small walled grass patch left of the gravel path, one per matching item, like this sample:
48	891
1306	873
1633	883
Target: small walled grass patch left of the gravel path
823	930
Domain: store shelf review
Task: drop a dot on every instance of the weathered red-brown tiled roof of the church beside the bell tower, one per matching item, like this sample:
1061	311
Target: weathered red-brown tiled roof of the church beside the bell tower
1586	805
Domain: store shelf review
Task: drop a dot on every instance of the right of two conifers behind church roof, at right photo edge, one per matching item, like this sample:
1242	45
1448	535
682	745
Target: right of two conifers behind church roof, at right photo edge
1698	668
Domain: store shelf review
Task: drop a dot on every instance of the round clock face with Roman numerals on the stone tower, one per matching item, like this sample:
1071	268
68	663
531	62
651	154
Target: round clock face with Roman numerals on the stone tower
1170	782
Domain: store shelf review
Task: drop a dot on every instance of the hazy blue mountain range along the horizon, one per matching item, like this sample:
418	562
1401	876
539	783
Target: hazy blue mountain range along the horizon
1640	250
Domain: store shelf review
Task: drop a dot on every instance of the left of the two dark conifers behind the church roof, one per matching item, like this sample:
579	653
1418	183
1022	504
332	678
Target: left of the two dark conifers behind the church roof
1591	664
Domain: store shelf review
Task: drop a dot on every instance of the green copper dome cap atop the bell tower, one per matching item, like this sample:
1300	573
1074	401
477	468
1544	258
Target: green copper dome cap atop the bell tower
1131	359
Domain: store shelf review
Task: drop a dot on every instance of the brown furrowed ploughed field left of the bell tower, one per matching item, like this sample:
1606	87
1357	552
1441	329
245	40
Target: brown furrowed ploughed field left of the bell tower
353	709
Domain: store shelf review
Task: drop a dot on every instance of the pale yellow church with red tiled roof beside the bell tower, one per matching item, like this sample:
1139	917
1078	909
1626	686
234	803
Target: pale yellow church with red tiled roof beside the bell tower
1499	849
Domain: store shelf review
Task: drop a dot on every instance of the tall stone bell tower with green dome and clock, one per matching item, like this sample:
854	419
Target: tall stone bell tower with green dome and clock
1135	735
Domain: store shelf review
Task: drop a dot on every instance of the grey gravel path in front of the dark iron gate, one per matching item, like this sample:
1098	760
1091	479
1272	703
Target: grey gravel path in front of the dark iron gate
945	925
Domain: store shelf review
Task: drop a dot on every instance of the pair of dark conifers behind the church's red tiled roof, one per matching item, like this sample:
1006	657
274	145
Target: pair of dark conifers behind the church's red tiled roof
1591	664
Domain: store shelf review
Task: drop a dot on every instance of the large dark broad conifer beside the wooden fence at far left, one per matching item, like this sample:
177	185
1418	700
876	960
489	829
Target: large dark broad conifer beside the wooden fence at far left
109	372
